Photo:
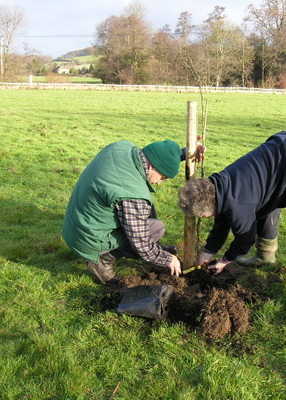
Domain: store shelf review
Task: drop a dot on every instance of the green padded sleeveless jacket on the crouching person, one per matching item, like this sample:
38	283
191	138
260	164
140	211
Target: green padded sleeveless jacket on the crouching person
91	224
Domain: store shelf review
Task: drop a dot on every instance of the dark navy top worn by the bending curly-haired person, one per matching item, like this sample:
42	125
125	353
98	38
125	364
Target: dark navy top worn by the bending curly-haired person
247	190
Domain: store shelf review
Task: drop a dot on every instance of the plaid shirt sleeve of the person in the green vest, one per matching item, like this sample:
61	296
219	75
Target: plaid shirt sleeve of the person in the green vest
133	216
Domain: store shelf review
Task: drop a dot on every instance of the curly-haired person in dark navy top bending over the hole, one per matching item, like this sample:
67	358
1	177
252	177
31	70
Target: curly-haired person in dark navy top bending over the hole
246	198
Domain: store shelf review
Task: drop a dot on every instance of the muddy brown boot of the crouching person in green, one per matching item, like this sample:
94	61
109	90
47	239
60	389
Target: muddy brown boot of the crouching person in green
103	270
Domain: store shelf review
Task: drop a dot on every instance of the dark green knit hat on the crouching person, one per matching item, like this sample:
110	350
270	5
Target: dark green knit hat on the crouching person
164	156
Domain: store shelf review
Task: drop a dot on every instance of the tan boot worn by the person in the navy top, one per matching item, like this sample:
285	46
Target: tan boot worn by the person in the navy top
265	253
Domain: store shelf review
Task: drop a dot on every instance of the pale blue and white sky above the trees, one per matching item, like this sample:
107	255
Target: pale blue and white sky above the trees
56	27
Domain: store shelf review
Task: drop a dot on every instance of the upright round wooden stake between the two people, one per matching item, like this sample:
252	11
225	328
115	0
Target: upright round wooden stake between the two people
191	146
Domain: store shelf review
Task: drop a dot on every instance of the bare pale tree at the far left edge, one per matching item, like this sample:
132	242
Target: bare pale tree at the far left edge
11	20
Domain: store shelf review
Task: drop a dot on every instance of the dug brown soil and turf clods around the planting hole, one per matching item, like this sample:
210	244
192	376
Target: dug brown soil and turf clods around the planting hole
213	305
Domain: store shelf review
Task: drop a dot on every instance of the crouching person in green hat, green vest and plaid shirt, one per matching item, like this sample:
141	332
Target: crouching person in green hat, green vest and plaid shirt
111	212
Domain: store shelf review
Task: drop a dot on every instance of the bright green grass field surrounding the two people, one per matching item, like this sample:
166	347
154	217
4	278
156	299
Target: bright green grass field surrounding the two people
60	338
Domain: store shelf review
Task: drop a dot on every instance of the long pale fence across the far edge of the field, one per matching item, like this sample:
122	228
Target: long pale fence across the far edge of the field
143	88
